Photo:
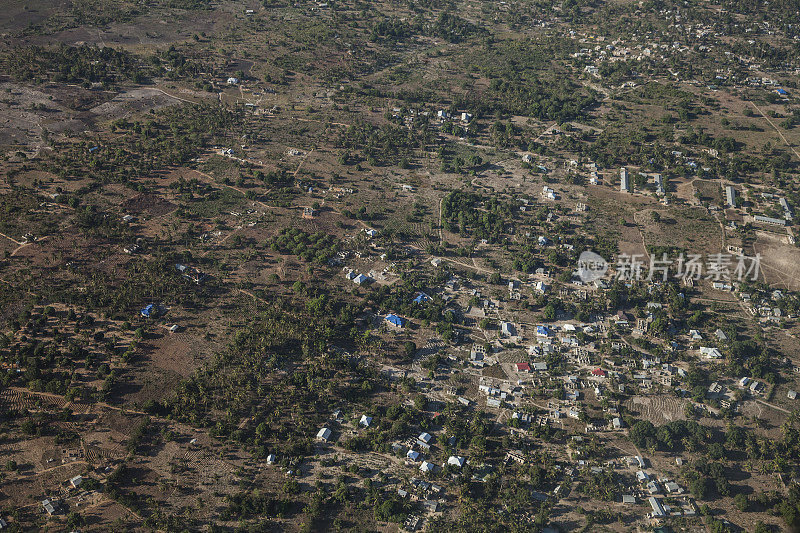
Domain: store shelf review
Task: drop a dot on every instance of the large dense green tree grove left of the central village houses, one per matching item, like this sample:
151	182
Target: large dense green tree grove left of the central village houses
270	374
